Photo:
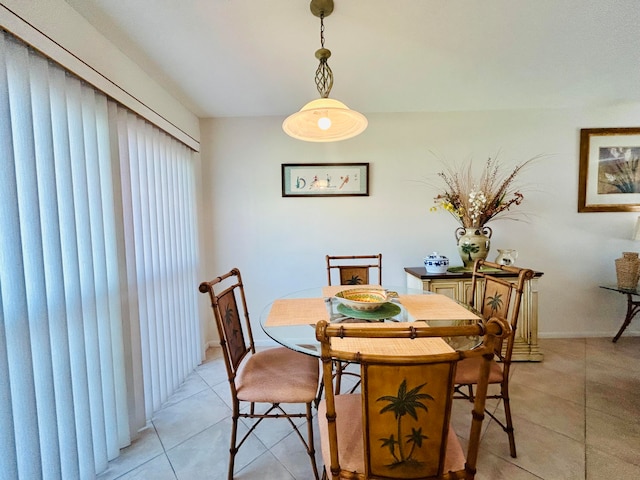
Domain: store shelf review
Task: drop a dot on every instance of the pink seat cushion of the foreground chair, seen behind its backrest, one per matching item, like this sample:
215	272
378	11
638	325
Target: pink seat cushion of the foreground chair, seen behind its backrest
350	437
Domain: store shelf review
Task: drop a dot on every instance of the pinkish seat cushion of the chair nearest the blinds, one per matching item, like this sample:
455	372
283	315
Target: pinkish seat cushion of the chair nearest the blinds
278	375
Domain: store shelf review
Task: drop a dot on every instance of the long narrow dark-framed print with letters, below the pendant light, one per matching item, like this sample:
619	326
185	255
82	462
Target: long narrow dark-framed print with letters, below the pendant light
325	179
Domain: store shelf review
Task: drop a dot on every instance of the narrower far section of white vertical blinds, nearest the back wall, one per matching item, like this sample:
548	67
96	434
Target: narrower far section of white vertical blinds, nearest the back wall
159	228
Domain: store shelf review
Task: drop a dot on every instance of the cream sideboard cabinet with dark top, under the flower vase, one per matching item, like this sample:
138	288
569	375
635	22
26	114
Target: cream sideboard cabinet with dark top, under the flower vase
458	286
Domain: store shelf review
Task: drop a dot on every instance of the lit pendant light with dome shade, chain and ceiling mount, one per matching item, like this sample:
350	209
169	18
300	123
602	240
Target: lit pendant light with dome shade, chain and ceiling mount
324	119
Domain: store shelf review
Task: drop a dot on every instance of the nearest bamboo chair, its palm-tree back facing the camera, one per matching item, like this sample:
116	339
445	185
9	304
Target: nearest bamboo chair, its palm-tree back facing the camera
398	427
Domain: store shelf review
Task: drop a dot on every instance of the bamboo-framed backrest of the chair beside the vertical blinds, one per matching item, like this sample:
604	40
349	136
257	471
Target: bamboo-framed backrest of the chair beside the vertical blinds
236	338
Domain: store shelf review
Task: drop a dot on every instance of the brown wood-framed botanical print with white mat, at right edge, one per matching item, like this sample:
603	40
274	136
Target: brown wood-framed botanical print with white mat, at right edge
609	177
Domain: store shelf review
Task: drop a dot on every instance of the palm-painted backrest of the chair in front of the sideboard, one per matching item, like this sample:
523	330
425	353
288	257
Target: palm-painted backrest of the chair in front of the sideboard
497	296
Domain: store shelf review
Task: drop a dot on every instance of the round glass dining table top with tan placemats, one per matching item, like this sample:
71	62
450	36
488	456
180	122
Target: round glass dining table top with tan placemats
291	319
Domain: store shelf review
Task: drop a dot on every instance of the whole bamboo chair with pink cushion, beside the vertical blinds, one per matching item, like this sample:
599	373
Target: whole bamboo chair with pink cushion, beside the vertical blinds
274	376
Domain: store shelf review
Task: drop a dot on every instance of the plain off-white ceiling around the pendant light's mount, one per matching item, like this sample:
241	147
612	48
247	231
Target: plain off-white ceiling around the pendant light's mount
225	58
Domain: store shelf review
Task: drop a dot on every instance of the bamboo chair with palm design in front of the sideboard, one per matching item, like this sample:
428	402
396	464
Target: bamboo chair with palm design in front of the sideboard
495	296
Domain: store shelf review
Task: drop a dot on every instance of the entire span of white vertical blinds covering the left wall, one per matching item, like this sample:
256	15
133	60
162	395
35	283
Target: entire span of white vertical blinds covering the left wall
98	322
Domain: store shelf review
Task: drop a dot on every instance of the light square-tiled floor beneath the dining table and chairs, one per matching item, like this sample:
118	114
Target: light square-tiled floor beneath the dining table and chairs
576	415
